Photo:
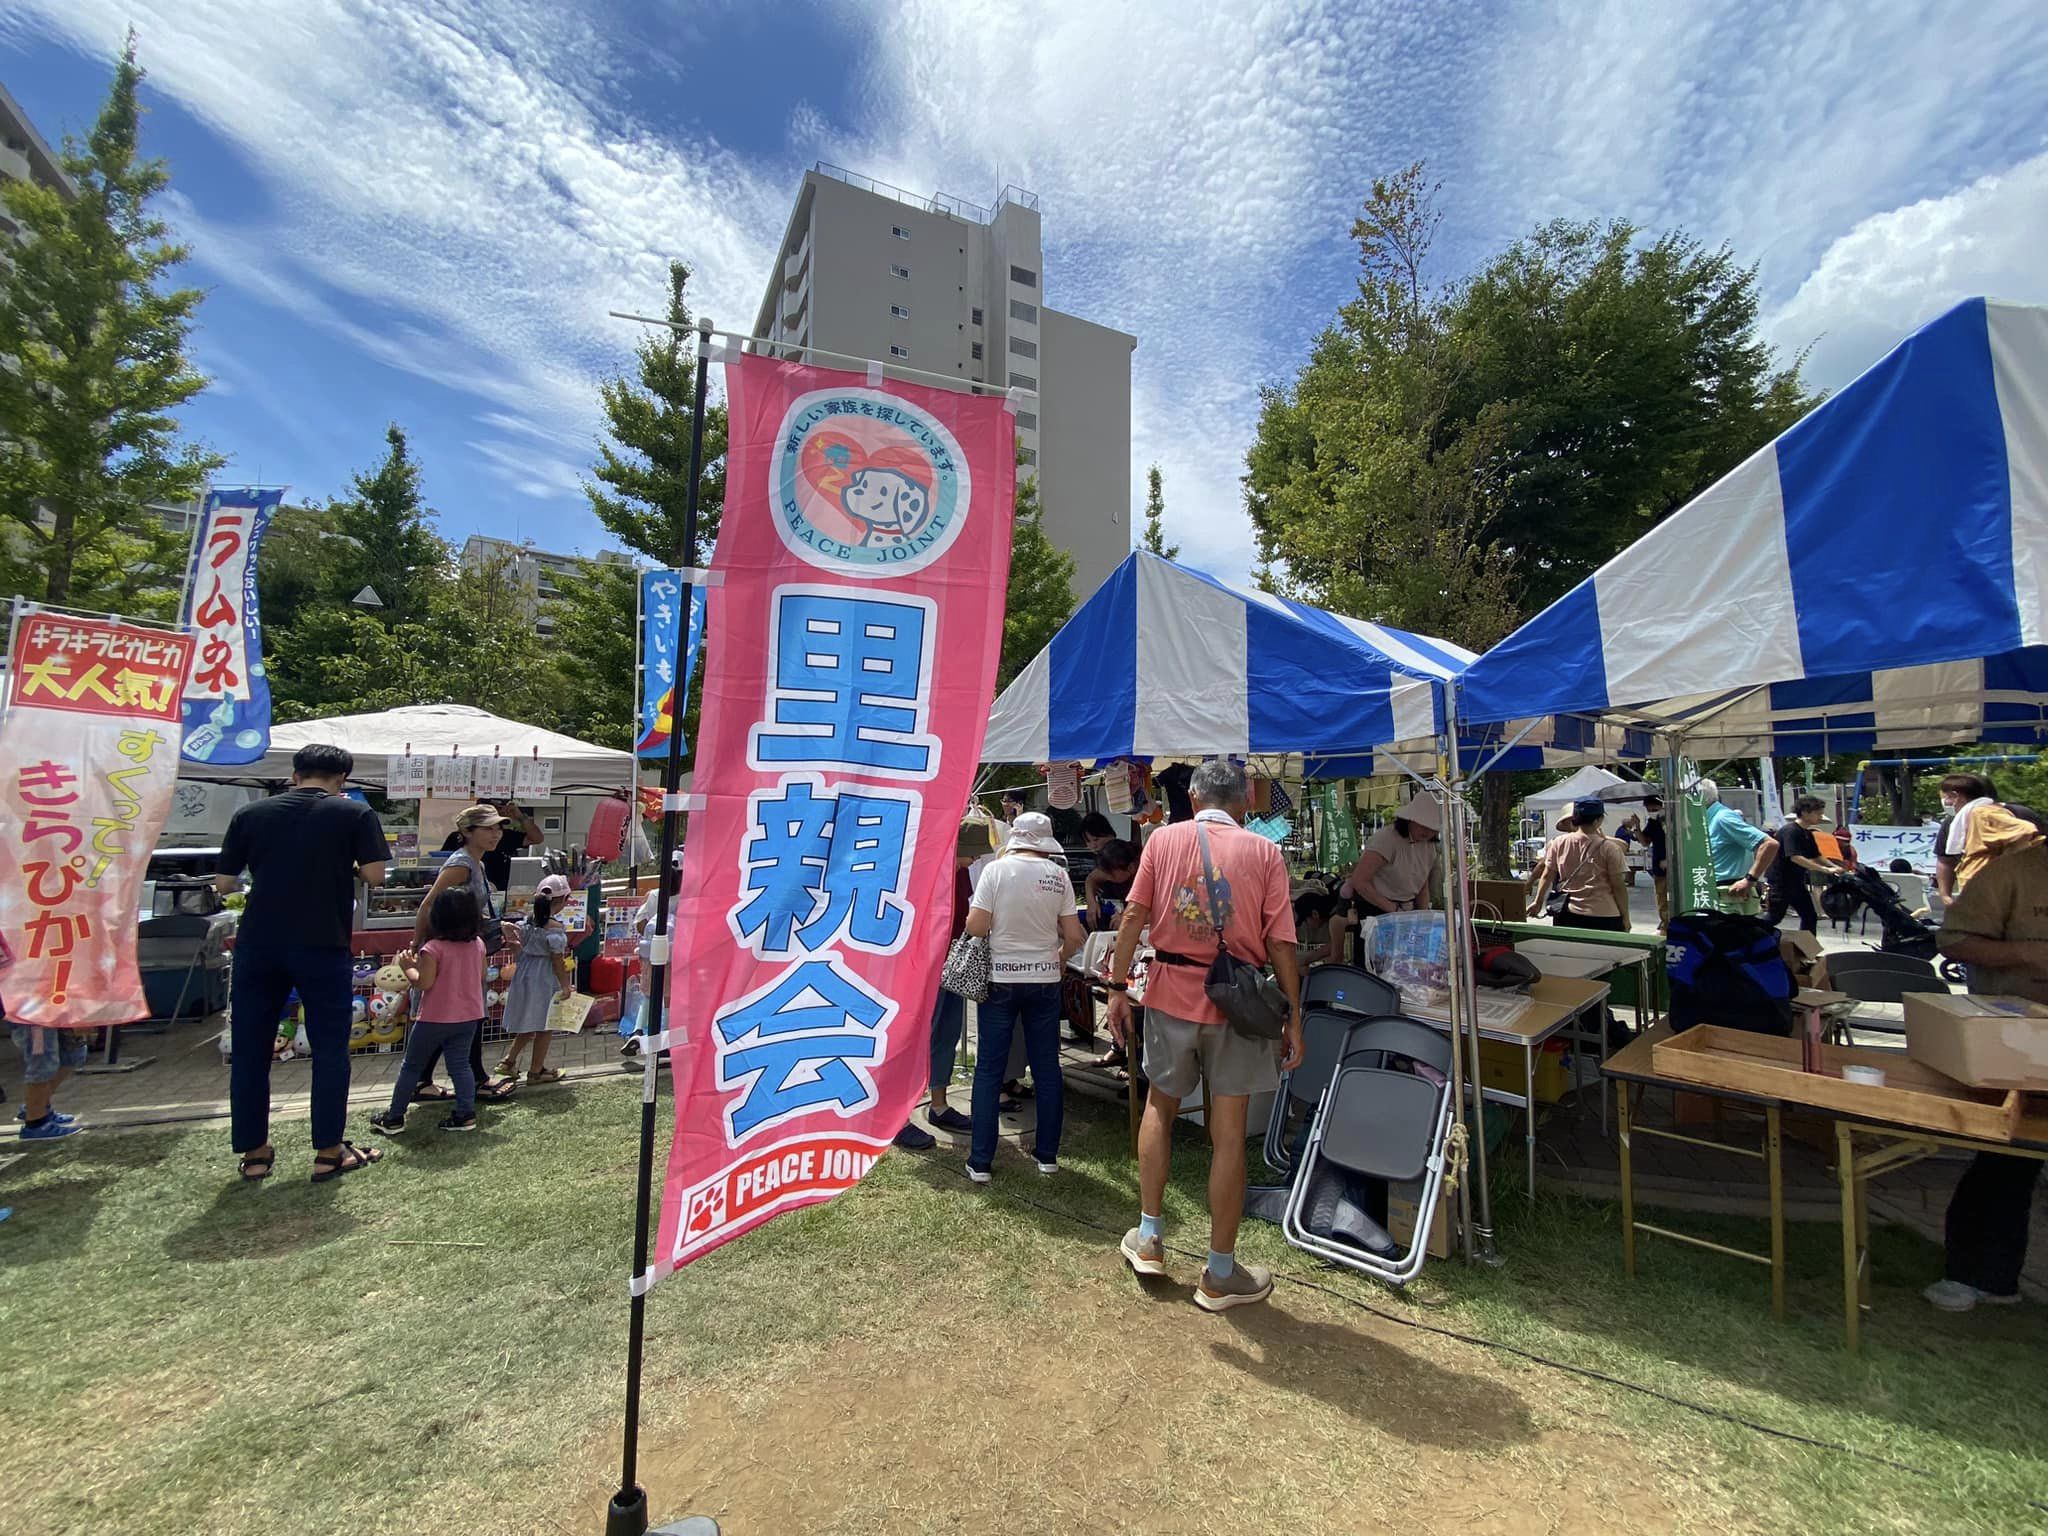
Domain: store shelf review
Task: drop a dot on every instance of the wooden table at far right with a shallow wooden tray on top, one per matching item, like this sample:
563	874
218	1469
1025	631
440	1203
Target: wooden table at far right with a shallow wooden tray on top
1904	1121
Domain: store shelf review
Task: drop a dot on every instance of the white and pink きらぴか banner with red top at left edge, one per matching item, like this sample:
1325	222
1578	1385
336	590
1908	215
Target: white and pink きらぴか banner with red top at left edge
89	761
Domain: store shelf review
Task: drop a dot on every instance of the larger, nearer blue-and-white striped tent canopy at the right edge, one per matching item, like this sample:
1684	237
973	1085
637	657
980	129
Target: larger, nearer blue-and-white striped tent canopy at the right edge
1873	581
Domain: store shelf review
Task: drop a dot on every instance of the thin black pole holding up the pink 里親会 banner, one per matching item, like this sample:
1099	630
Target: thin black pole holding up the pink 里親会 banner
628	1514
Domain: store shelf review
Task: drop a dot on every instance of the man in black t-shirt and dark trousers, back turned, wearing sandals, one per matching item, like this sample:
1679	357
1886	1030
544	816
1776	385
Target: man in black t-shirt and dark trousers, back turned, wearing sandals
304	851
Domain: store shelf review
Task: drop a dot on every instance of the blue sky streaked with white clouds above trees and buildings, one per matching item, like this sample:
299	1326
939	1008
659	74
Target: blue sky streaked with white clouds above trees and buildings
421	212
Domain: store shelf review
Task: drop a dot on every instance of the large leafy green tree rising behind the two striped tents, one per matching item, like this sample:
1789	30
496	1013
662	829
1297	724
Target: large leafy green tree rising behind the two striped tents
1455	456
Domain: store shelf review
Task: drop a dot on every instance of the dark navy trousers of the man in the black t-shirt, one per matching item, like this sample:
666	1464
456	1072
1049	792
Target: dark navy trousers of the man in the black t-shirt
263	980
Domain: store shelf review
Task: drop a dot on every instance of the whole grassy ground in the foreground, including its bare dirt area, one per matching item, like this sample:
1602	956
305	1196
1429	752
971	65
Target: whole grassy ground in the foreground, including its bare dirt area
189	1355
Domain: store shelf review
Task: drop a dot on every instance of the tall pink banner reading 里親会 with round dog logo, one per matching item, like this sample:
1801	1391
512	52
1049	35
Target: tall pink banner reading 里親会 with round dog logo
851	667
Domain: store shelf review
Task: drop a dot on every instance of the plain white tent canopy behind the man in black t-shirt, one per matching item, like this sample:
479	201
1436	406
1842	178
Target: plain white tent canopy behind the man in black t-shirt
435	732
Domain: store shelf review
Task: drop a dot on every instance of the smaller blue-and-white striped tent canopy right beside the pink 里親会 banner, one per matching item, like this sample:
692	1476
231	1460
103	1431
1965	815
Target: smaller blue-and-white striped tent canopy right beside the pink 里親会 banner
1166	663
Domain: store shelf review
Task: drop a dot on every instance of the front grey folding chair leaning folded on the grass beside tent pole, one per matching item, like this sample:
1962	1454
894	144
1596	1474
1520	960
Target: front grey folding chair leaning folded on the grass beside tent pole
1375	1123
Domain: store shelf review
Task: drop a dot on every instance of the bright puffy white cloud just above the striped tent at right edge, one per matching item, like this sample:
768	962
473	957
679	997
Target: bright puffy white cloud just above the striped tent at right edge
1900	269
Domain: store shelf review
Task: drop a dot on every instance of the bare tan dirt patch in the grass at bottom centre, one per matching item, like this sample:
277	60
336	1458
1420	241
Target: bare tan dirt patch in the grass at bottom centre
1127	1410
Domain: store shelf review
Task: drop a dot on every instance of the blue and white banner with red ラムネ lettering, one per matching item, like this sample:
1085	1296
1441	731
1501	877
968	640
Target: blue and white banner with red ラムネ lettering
226	693
